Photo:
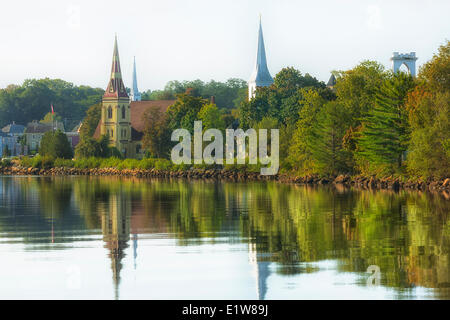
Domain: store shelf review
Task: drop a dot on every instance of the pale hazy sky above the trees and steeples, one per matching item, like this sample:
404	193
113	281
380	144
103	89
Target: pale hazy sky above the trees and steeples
209	39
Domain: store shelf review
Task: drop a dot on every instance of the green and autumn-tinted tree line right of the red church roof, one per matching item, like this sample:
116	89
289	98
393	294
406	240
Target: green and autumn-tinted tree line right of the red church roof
372	122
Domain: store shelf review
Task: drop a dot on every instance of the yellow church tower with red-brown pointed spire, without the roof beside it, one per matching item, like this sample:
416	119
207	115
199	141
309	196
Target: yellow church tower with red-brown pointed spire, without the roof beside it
116	116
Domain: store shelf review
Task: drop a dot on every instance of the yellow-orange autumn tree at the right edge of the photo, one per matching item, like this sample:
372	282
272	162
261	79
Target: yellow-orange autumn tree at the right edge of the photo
429	118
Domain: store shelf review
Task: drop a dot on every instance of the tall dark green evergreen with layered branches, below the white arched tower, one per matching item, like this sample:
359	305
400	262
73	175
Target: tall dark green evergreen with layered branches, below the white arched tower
385	133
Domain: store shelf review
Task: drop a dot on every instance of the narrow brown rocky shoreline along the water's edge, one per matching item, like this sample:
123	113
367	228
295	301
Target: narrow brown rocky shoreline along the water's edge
223	174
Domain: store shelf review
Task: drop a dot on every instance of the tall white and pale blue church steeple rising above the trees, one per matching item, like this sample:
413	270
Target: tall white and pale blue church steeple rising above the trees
260	76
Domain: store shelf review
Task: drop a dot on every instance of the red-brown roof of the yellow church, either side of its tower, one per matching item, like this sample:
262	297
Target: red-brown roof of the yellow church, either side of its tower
138	109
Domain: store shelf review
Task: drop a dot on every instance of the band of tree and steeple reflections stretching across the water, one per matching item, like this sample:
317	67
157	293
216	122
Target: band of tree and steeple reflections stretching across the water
406	234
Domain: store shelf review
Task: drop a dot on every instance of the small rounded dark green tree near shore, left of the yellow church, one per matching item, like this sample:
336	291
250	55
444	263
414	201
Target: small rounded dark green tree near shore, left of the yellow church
55	145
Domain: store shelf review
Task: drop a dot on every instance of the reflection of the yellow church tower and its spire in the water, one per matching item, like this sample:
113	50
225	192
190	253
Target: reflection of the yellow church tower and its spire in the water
116	233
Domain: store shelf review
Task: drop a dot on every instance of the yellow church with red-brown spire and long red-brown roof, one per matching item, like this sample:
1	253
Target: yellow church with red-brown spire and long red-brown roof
121	119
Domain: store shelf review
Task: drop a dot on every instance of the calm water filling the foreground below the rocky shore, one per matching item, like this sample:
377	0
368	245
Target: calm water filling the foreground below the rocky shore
112	238
